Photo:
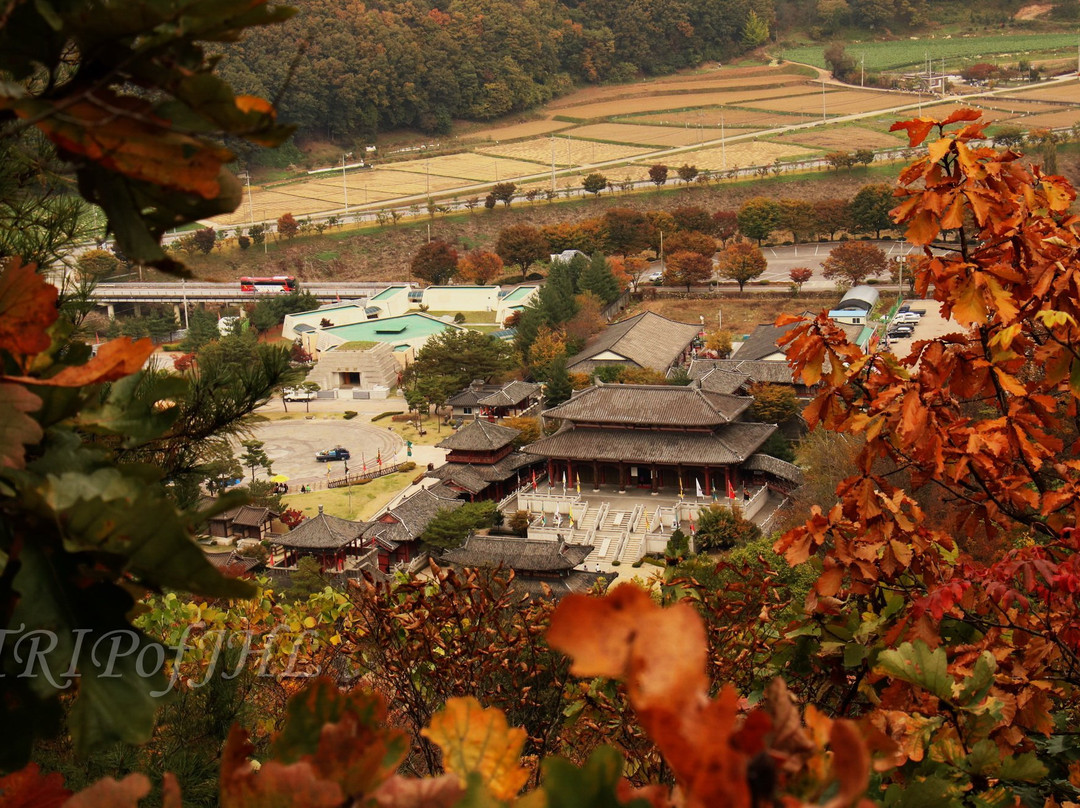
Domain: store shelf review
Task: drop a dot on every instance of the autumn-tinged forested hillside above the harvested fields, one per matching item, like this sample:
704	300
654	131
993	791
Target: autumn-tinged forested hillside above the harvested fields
364	69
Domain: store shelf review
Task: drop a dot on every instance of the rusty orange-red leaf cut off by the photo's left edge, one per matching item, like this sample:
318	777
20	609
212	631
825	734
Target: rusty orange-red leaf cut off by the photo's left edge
28	311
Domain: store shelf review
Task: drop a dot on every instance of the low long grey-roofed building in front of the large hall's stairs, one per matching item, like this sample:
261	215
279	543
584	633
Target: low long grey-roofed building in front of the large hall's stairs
535	562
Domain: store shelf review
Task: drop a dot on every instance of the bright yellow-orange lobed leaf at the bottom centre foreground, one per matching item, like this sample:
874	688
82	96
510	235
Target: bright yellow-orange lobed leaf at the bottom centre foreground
475	739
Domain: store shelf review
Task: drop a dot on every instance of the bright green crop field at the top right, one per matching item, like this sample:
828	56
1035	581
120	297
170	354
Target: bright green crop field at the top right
913	53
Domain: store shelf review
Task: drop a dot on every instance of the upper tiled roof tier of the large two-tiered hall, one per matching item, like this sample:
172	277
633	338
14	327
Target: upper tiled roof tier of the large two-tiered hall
669	406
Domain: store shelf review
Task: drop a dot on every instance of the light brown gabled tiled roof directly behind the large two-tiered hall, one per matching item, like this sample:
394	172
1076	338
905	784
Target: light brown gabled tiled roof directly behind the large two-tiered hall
647	341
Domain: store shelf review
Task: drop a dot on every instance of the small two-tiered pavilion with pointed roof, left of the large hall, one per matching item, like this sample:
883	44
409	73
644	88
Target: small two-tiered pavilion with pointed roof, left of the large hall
481	462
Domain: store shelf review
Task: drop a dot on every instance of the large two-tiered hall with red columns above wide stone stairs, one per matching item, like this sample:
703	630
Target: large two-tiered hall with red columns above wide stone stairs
660	439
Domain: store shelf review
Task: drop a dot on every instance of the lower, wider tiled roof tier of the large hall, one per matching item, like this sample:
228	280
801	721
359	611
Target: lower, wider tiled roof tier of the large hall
728	446
